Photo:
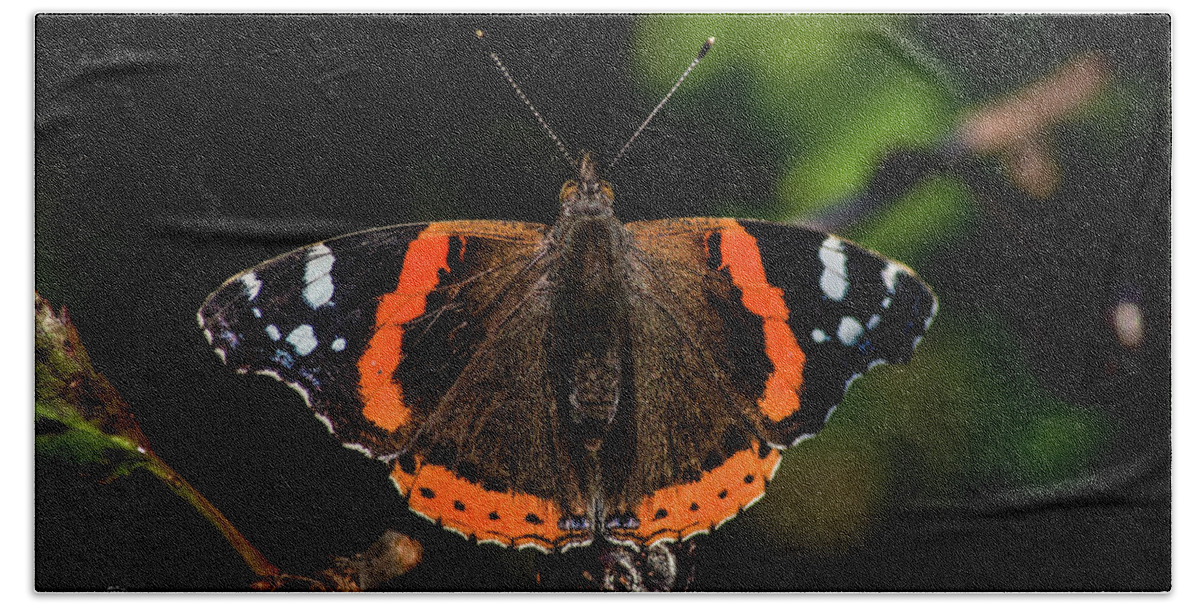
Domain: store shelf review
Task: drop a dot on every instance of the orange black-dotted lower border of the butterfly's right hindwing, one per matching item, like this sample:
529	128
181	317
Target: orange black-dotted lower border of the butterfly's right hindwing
677	513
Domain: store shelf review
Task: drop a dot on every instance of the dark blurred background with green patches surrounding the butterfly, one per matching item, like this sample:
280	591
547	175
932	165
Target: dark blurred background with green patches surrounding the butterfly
1025	448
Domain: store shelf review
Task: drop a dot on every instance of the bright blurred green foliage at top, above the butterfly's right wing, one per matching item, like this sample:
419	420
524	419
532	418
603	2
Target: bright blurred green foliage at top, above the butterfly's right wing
842	91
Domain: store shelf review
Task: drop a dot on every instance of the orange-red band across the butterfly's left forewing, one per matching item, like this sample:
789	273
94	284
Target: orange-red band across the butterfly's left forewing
383	400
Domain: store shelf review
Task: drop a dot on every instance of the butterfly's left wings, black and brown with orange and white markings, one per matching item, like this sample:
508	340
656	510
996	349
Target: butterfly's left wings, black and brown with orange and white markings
405	377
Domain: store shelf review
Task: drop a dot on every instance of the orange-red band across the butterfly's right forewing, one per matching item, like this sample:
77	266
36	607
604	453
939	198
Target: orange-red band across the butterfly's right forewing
740	254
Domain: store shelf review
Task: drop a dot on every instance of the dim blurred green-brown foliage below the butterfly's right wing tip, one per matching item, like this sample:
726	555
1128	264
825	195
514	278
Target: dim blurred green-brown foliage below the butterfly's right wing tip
964	417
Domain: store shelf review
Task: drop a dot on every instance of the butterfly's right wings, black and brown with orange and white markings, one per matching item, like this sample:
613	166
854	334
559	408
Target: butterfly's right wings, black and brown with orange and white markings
747	335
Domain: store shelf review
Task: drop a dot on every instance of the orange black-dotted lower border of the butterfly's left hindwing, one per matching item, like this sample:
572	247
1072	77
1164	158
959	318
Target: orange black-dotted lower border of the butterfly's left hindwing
506	519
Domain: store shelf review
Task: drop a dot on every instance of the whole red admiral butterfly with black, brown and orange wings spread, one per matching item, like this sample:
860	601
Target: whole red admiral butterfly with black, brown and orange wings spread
547	386
